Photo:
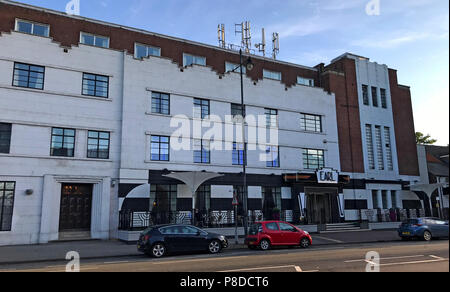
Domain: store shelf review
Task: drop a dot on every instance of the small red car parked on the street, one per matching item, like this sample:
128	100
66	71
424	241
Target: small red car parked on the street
275	233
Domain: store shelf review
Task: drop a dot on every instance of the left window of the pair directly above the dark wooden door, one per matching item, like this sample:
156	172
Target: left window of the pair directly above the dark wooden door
63	142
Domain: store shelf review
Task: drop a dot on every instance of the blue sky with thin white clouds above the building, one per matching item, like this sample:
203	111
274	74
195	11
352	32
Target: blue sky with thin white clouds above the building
411	36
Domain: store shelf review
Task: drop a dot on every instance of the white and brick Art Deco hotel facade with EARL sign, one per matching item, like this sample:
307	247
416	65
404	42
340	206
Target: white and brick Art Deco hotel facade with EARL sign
88	112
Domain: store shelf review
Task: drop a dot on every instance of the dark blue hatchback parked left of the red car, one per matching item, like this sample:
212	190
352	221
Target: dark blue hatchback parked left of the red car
159	241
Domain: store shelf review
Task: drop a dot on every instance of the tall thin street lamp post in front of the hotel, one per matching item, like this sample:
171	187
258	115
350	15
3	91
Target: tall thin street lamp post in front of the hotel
249	65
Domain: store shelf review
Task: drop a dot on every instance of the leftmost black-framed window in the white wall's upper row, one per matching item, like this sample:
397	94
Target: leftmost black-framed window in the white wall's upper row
28	76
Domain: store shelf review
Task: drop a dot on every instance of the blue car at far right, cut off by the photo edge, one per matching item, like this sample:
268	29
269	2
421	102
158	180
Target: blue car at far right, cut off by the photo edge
423	228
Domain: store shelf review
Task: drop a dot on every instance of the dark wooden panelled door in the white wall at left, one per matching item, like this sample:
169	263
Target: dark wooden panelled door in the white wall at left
76	207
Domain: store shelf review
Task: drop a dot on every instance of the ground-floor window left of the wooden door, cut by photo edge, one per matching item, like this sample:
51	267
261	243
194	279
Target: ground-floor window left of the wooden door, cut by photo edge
7	190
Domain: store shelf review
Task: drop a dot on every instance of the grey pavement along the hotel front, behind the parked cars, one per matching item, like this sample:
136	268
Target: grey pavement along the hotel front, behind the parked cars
115	249
